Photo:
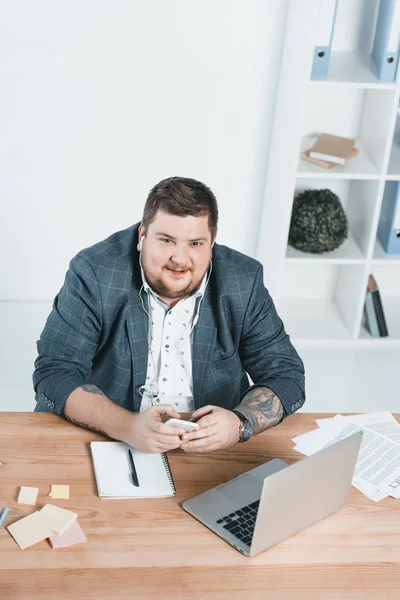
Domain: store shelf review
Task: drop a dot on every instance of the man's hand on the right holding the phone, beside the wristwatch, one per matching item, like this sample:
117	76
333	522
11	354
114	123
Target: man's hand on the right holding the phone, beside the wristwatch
219	428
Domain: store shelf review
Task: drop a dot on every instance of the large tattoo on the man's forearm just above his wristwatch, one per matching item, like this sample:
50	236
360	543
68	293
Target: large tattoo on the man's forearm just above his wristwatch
262	407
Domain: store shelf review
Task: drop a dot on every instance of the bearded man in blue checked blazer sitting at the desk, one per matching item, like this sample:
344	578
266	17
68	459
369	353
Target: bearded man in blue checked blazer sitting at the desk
159	320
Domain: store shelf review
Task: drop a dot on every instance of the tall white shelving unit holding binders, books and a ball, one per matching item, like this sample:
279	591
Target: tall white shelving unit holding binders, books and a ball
321	297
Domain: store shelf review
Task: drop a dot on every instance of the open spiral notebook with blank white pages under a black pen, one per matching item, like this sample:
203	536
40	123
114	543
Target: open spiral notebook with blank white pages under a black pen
113	472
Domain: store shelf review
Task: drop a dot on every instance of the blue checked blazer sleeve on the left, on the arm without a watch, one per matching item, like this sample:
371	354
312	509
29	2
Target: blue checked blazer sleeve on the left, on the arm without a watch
70	338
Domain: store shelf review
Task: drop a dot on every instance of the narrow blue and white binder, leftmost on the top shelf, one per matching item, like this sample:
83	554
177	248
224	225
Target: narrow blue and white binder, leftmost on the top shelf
323	38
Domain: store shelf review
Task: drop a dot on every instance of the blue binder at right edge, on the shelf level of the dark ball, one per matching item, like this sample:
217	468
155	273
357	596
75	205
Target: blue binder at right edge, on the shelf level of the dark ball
389	221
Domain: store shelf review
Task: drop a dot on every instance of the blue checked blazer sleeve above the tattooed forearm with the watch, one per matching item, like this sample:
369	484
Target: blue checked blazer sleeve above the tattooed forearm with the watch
267	353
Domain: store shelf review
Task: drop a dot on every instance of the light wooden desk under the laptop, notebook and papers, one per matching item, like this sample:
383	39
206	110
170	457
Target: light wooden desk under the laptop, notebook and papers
153	549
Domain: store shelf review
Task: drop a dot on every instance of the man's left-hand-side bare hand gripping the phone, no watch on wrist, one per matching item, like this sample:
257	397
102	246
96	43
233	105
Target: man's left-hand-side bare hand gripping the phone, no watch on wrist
147	433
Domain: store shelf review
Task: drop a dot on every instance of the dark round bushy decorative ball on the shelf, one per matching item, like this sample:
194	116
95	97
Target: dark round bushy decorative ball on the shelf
319	223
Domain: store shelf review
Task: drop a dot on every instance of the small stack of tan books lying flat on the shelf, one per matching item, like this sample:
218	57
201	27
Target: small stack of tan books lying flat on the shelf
330	151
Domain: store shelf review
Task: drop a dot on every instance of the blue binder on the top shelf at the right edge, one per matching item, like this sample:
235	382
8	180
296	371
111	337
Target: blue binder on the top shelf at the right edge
385	52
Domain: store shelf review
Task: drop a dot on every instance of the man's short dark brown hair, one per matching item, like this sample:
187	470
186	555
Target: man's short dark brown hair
182	196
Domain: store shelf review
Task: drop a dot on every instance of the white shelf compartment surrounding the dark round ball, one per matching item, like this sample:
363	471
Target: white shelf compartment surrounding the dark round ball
358	199
